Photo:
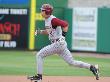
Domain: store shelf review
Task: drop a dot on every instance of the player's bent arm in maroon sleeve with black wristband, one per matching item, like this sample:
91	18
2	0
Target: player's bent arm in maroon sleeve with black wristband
57	22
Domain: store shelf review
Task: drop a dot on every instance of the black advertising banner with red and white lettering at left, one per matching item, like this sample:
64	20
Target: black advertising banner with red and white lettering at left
14	28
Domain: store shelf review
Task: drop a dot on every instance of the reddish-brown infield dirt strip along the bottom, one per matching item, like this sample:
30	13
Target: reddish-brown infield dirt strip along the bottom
54	79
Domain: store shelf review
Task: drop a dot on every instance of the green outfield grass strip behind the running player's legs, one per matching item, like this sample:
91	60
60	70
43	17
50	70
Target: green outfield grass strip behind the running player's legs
24	63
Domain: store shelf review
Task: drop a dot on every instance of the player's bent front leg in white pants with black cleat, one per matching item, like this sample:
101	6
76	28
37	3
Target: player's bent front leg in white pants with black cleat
46	51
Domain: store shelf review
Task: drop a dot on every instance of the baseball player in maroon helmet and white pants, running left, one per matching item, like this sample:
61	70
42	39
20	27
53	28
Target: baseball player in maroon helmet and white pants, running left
56	29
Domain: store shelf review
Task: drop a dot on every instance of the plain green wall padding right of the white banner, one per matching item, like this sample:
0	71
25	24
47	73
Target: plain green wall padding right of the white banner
103	43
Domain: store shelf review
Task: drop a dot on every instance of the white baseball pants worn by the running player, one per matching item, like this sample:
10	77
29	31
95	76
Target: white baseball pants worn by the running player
60	48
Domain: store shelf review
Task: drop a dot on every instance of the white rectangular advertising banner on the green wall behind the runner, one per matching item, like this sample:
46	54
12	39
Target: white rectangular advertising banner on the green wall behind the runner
84	29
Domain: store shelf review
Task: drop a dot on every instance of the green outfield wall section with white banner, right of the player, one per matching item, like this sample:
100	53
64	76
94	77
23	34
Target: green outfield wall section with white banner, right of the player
89	29
